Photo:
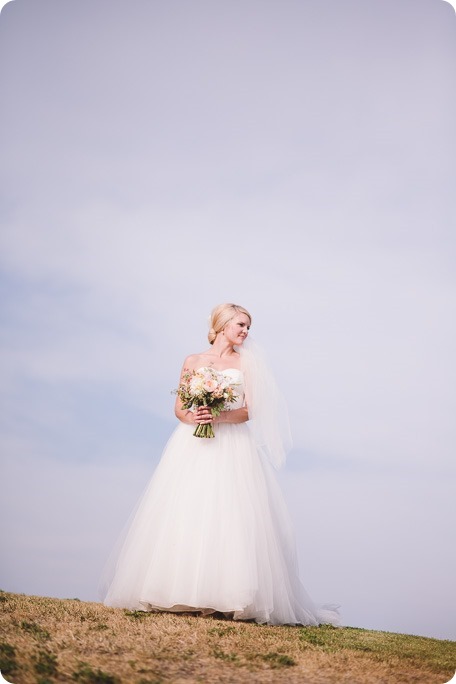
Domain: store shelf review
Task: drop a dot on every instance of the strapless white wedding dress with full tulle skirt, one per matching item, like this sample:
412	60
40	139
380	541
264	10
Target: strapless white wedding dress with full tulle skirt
212	534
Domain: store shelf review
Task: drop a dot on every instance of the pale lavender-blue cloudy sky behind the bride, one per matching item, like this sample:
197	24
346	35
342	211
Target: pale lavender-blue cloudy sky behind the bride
295	157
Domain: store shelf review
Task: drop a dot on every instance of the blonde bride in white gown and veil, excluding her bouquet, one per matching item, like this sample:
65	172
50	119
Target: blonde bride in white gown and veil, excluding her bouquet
211	533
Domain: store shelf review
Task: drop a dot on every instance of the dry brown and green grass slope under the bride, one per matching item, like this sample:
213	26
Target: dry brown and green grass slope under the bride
50	640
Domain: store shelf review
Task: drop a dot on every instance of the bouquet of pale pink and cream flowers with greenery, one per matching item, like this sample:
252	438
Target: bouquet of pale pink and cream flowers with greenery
205	387
